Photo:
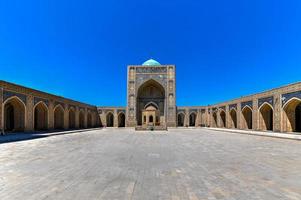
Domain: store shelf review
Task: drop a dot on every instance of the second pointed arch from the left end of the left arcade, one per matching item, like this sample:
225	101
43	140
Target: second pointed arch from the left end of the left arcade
40	115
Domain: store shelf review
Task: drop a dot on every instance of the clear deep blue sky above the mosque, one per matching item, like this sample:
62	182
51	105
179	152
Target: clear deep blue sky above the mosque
80	49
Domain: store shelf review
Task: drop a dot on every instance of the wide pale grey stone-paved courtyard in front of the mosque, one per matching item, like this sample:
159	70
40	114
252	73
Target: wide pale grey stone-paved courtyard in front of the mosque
181	164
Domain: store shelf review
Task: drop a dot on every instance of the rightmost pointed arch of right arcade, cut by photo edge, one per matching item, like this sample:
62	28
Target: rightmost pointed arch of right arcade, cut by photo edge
292	115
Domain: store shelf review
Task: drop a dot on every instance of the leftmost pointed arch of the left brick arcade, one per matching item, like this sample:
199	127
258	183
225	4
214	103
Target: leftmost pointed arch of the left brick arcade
14	114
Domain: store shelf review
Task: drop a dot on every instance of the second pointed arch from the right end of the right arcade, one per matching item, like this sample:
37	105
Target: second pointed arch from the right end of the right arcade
266	117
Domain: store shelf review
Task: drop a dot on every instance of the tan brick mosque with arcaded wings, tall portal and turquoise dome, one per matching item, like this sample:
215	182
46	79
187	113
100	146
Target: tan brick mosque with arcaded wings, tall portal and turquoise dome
151	105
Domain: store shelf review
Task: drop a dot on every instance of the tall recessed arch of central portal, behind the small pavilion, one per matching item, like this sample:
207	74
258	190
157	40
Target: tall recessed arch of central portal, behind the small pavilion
151	93
